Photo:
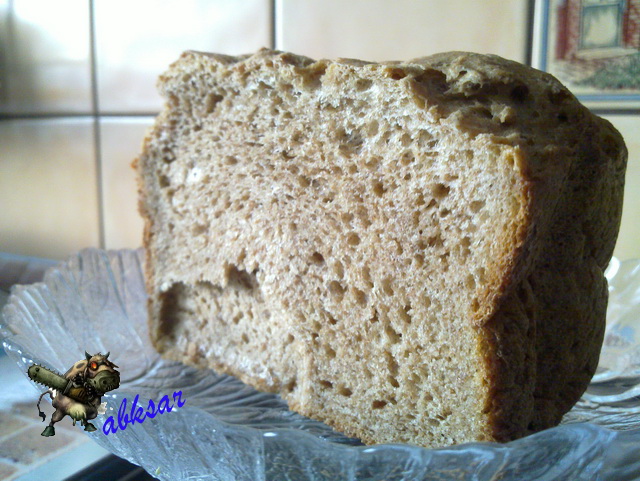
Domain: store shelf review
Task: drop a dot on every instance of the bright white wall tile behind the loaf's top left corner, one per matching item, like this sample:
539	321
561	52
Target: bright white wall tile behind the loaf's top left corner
137	40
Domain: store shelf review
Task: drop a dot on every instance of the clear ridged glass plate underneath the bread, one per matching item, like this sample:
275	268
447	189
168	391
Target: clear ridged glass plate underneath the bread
228	431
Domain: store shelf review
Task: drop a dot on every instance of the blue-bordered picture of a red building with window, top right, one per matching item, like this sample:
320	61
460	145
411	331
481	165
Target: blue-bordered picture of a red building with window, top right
593	47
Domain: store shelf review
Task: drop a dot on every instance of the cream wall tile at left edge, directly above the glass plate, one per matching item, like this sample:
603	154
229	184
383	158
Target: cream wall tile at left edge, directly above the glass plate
48	188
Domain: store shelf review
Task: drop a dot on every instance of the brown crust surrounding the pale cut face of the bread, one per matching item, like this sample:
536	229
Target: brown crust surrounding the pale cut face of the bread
548	279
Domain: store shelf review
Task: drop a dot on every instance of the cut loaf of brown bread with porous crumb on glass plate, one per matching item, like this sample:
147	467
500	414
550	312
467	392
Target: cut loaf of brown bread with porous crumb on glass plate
411	252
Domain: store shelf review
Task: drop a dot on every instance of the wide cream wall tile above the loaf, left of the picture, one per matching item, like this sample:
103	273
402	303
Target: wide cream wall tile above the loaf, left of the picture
400	29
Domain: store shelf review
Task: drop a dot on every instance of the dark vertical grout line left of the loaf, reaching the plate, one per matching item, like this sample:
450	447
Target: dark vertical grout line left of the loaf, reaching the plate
95	104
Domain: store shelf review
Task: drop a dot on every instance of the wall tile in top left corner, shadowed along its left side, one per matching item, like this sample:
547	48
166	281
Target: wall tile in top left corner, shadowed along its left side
44	56
